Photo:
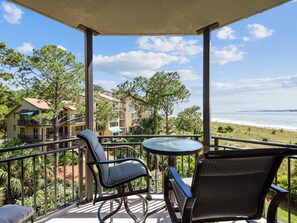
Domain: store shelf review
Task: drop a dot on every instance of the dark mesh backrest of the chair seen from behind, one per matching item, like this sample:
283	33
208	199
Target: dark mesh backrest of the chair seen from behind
233	184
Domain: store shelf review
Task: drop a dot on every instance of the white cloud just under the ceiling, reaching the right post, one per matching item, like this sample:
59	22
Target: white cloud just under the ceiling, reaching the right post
175	45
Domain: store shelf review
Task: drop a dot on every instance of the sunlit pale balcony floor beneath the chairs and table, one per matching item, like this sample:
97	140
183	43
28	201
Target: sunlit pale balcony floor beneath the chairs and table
87	213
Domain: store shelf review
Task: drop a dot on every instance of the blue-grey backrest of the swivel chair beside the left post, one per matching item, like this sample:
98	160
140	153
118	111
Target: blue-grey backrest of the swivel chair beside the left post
97	151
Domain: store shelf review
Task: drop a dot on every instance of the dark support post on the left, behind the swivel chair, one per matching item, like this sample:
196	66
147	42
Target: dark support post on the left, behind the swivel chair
89	100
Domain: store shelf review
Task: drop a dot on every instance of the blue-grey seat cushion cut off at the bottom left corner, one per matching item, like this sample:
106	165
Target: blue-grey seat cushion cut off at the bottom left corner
15	213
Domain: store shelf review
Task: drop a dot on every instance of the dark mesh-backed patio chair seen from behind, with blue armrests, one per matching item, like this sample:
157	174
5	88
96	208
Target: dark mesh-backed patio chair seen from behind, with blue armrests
226	186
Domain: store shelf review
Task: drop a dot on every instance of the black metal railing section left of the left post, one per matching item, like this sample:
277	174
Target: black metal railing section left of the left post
45	176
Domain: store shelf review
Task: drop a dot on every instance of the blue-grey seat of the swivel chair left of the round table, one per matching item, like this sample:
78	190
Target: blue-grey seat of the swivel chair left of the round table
125	172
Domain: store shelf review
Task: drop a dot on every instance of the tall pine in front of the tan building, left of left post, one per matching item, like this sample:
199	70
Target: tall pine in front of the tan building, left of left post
56	77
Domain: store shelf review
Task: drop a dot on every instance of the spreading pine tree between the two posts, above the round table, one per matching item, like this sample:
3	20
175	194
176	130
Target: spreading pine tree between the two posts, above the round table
158	93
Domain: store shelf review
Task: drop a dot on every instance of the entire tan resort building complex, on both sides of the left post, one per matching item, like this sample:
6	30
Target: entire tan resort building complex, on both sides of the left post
22	123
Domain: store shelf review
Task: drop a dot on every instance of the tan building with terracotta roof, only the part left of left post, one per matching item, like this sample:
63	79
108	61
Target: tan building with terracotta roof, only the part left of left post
22	123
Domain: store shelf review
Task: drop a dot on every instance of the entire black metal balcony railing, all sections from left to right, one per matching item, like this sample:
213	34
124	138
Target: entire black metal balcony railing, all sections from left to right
57	168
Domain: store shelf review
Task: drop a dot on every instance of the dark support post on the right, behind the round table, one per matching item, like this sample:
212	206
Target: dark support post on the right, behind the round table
206	89
